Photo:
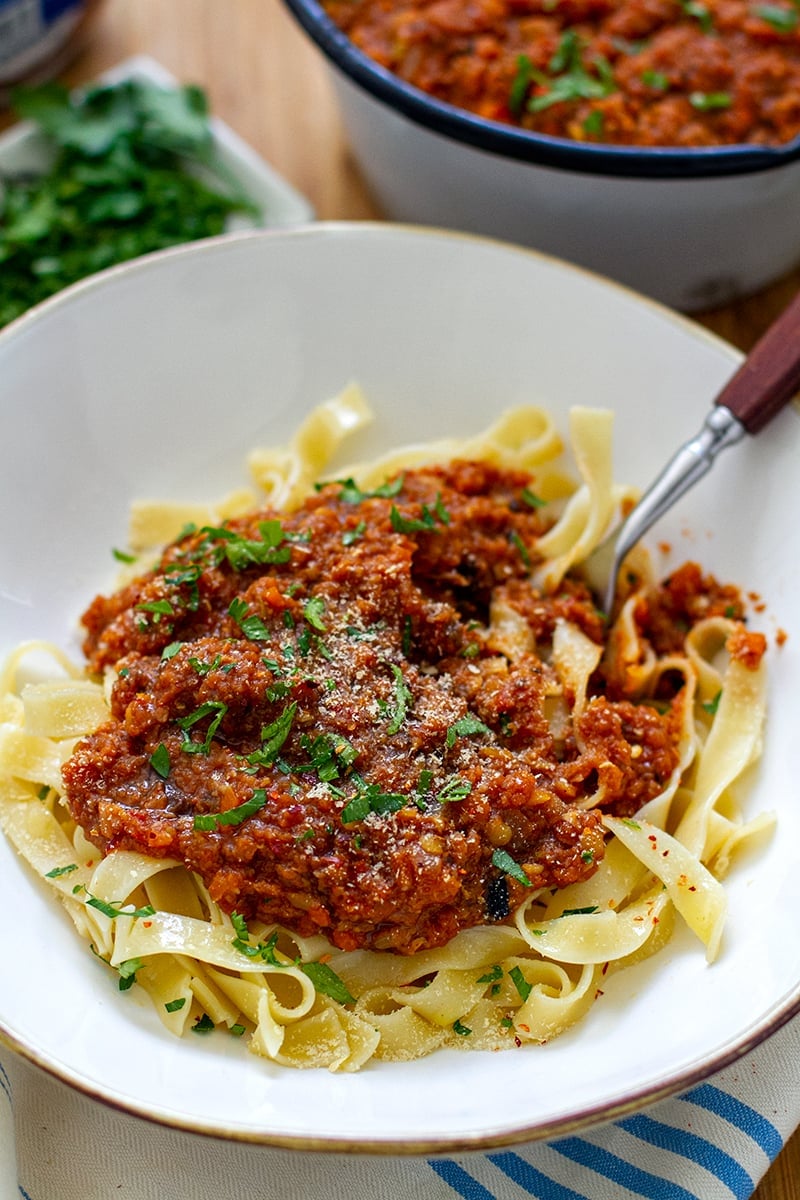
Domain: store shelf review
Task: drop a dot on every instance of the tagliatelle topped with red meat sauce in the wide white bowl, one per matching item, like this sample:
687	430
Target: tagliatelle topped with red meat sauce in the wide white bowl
356	770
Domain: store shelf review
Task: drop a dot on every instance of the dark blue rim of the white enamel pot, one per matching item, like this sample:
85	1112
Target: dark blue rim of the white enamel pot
524	146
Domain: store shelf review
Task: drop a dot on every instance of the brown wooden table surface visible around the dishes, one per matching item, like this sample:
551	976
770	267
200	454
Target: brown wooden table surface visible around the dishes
268	82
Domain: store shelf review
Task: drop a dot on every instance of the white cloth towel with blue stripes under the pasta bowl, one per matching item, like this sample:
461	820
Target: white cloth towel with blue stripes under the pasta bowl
713	1143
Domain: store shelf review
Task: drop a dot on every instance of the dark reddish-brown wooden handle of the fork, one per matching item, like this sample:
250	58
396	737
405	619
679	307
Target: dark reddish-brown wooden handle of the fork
771	375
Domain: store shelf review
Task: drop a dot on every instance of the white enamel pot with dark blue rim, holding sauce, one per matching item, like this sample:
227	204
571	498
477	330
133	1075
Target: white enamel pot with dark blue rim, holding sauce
693	229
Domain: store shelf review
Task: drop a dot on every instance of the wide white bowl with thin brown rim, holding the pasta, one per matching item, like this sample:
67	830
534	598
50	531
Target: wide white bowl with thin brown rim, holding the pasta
155	380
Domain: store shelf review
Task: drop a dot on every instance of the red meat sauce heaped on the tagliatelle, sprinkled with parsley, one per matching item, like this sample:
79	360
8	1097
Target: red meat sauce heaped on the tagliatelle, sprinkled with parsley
317	715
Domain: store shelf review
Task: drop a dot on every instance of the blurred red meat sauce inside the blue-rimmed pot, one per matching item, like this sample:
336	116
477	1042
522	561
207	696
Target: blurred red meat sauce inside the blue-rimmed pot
629	73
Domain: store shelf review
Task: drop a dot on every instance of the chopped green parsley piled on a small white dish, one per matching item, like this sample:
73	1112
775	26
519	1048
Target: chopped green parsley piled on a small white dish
124	182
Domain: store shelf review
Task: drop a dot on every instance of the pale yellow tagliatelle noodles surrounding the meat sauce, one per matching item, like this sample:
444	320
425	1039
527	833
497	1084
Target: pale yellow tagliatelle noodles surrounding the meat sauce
492	986
